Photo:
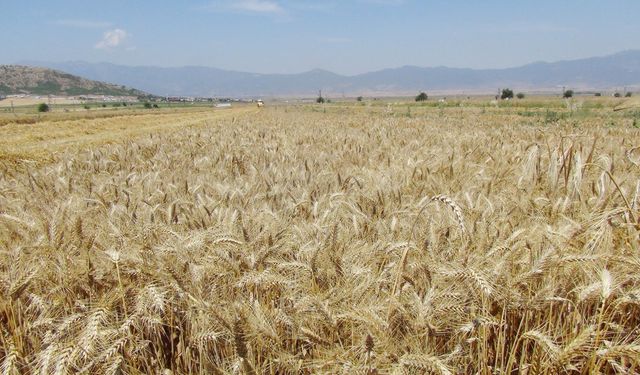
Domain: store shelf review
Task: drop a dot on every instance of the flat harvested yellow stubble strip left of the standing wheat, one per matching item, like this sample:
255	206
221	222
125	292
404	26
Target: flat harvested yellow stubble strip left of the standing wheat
24	142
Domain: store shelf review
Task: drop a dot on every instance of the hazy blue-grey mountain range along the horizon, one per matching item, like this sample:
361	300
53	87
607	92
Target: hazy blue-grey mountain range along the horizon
597	73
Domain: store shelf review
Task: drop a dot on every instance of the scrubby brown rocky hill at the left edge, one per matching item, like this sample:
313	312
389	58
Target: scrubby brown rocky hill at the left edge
19	79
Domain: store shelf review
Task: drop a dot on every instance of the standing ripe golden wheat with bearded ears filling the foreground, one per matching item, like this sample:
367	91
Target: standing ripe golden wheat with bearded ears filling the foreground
349	240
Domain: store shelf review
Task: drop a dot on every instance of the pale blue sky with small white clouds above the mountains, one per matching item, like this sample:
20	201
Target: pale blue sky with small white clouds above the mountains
291	36
